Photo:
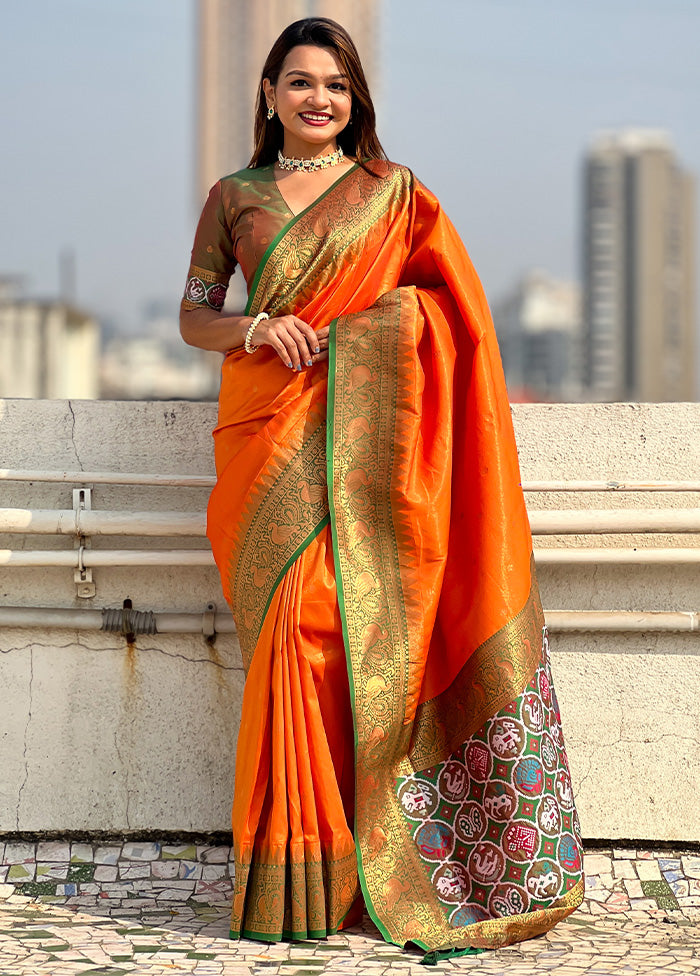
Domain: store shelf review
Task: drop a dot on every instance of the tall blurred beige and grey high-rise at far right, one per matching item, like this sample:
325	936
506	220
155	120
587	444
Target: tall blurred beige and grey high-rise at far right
639	270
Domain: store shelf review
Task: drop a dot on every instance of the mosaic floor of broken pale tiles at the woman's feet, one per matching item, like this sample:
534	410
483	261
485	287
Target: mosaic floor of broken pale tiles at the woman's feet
641	916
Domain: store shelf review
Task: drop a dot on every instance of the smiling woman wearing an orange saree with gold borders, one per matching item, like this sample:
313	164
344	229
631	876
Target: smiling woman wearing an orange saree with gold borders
400	742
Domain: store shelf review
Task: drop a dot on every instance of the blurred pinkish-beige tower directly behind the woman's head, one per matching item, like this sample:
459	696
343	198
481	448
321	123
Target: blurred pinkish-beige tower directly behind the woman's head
234	37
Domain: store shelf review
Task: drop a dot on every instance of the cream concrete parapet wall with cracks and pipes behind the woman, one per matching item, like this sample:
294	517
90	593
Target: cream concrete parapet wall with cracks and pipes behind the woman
100	733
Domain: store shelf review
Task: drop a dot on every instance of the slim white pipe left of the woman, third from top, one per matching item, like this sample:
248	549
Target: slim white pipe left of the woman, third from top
92	558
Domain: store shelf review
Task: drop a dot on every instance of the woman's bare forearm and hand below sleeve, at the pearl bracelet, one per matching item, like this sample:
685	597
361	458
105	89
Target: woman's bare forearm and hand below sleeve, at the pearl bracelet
294	341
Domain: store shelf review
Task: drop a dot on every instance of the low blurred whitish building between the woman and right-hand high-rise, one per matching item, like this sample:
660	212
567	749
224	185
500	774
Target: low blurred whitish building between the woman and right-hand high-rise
538	325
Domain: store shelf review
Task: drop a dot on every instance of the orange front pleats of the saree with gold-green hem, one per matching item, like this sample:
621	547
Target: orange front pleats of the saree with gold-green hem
295	854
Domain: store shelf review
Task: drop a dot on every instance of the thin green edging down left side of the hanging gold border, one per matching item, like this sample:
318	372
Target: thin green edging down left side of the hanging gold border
332	364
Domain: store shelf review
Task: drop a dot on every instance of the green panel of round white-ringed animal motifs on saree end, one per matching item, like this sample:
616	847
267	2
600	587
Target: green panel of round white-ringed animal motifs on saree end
495	824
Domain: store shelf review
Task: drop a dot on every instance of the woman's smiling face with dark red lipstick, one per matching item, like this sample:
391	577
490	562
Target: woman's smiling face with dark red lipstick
313	100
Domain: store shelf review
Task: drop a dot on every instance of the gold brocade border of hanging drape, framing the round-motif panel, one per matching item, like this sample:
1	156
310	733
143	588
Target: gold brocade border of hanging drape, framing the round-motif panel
375	596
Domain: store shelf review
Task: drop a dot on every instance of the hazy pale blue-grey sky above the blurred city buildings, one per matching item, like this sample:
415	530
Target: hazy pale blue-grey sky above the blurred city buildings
491	102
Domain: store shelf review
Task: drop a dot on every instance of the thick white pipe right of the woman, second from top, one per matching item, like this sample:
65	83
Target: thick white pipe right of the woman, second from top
614	521
